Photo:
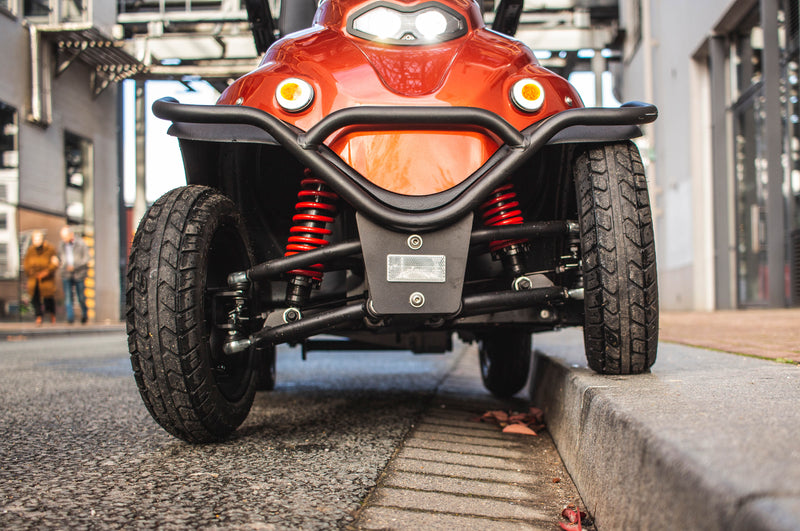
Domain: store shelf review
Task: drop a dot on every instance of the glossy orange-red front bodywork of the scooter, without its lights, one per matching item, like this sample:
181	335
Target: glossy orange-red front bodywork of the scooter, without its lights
475	70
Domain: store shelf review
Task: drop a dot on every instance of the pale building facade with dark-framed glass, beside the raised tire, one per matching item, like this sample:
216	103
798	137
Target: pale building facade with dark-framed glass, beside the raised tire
724	155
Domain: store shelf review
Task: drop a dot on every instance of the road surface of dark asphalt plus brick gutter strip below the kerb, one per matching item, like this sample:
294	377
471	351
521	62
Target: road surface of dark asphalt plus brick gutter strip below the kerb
78	450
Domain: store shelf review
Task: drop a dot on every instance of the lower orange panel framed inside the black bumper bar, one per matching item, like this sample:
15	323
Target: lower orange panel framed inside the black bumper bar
415	162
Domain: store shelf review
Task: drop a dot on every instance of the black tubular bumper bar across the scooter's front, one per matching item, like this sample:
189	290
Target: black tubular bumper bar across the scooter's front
309	150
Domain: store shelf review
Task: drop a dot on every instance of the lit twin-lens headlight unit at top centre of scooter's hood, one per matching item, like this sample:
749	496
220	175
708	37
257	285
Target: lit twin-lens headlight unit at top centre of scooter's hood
390	23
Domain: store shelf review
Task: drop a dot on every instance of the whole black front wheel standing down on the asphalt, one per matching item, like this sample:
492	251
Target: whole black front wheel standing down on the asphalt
184	248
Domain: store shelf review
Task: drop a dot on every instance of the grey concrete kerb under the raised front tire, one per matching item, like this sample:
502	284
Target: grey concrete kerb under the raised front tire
707	441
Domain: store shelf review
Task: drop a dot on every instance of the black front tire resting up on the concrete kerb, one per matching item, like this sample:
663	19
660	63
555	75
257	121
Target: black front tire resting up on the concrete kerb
619	259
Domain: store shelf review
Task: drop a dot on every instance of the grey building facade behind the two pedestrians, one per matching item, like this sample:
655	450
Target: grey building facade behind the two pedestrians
59	140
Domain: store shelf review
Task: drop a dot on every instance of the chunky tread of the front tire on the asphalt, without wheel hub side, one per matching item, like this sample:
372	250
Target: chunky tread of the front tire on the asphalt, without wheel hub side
164	335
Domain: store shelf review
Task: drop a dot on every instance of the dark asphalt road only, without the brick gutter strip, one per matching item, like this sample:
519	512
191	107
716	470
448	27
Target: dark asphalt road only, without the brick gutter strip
79	450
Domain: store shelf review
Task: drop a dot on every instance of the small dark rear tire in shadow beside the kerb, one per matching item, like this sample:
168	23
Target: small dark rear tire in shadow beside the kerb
505	360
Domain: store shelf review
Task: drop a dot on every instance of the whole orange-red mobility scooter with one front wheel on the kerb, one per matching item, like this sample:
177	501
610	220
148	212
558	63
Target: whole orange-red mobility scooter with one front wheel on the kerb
393	175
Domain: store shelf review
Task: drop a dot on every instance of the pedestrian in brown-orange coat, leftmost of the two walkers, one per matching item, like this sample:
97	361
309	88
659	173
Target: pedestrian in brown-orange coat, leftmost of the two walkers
40	264
